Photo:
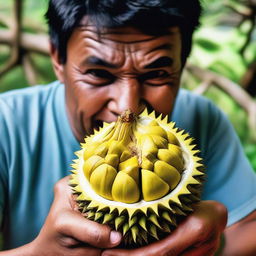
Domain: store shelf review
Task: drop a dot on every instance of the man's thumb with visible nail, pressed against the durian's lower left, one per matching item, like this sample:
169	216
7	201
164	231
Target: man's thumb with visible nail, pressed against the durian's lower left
73	224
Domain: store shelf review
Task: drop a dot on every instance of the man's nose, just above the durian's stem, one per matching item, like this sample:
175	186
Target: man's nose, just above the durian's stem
128	94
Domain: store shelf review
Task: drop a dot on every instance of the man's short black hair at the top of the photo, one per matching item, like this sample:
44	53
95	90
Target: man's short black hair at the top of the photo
149	16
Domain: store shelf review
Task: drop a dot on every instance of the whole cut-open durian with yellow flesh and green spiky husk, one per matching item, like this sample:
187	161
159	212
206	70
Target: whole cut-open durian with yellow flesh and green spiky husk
139	175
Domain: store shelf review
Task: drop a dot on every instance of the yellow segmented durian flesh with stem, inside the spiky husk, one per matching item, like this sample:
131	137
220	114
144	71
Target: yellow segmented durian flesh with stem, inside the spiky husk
142	149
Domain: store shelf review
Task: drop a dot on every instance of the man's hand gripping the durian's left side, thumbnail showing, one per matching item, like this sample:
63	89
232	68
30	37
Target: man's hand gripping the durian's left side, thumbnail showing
67	232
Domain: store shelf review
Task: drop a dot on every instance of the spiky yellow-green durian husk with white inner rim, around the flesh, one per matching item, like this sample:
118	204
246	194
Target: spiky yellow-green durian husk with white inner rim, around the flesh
145	221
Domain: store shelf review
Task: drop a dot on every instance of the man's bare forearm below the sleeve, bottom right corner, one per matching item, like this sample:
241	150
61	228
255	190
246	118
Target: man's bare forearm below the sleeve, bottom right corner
240	238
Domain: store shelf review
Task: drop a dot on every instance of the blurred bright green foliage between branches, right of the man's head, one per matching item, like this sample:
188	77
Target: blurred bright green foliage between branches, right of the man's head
218	48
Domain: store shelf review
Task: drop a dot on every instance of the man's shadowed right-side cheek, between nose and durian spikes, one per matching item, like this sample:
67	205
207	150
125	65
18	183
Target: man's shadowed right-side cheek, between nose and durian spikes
161	98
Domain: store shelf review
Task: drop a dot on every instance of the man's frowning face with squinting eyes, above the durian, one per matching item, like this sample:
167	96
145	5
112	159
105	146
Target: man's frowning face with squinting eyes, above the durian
118	70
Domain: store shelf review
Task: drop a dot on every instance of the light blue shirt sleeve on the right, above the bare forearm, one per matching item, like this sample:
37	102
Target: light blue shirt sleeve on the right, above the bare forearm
230	178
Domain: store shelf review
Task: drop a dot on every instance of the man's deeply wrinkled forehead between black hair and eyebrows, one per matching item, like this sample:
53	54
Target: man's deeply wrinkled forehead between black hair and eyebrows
122	53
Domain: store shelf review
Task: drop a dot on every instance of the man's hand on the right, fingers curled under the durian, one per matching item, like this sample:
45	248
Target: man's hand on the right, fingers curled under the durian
198	234
